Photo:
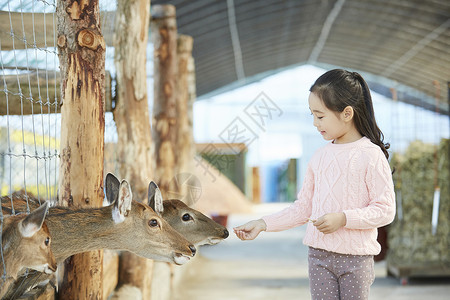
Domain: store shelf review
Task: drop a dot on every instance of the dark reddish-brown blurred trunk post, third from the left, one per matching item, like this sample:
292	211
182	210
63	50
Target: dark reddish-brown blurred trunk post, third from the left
165	121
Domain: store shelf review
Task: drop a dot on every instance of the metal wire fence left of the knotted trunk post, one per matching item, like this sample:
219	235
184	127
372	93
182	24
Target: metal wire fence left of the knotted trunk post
29	119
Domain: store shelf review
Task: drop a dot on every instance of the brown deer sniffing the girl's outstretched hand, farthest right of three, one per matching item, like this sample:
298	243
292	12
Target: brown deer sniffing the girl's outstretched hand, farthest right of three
192	224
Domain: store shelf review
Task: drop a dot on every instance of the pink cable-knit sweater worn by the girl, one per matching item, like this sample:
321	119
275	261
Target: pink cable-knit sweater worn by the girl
354	178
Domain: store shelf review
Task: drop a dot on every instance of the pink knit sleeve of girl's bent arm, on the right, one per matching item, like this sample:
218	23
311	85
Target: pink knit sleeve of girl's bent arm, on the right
381	208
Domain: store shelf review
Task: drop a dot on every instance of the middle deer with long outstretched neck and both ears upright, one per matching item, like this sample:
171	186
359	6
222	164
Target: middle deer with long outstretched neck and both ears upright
125	224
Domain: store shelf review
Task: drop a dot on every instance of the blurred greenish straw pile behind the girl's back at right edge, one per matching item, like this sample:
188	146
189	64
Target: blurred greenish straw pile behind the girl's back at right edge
411	242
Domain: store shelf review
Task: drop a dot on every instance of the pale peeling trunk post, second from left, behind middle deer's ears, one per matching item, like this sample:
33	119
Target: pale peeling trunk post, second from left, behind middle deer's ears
132	120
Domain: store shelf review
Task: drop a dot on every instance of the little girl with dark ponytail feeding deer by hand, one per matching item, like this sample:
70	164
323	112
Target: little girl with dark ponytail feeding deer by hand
347	192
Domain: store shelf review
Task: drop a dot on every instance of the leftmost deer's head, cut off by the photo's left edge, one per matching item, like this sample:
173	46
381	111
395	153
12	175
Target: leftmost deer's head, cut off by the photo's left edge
25	244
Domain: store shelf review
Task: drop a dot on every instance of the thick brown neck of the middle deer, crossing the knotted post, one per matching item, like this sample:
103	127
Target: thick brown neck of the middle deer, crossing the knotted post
79	230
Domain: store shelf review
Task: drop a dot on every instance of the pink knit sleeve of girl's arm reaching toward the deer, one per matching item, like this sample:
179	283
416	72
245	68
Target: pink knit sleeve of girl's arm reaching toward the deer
298	212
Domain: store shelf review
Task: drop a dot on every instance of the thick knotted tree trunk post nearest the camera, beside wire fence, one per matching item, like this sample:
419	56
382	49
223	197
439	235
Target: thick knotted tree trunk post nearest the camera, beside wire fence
82	63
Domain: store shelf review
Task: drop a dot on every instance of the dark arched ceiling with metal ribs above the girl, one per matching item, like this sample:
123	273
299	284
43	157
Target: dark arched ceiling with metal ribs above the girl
396	44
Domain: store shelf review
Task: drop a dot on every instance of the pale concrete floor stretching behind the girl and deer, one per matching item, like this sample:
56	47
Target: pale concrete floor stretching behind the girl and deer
274	266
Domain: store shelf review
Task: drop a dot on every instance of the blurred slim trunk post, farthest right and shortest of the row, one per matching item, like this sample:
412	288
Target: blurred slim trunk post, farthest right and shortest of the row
185	138
